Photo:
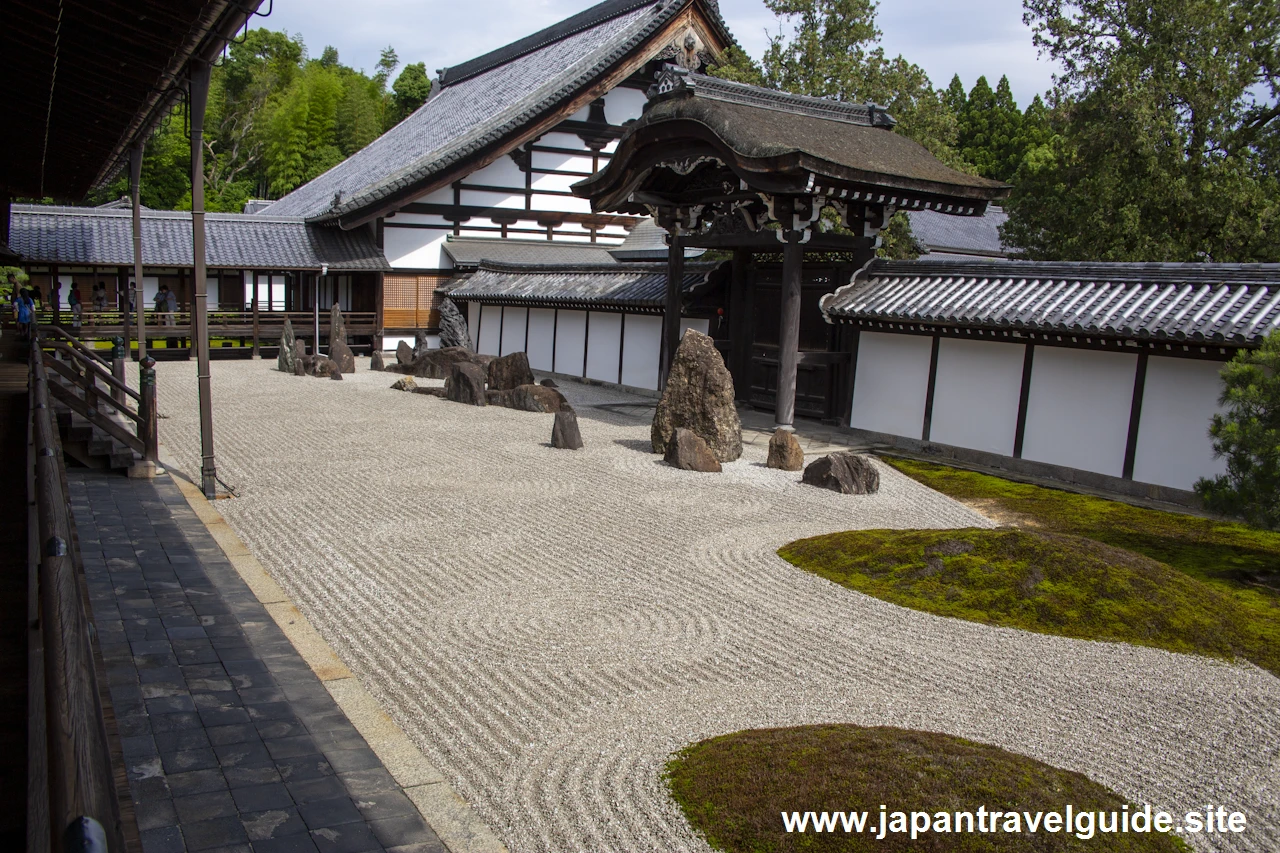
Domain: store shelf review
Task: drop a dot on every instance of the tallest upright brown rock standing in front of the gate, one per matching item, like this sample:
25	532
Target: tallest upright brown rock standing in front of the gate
700	398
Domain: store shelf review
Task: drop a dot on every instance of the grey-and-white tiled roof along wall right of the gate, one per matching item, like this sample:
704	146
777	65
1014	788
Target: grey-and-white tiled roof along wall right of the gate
1236	304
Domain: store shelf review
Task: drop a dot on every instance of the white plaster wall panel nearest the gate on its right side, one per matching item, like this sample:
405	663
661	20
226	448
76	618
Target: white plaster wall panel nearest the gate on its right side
892	384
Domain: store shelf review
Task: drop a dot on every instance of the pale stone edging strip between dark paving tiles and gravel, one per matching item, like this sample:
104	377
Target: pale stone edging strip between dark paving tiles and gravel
449	815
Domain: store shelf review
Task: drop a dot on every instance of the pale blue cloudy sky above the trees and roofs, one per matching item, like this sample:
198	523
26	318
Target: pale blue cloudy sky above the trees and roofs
967	38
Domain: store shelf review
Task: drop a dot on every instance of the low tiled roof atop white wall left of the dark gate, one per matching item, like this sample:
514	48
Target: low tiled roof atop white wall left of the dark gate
634	286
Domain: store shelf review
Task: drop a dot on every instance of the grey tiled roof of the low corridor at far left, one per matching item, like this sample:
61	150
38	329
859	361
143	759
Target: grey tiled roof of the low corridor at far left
89	236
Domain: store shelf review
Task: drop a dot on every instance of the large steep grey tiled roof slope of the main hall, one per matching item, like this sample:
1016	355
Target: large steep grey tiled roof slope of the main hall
492	101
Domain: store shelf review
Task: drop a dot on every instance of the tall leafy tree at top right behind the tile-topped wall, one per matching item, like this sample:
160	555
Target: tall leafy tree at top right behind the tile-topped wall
1165	134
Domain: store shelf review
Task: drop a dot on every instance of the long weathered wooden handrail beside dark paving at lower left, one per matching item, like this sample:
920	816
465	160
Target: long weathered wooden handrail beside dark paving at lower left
75	751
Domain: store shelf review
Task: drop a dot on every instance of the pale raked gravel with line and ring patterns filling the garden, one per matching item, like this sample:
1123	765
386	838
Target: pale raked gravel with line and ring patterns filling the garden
550	627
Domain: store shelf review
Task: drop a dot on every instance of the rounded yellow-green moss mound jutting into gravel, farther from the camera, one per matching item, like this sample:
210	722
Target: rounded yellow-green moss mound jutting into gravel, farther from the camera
1041	582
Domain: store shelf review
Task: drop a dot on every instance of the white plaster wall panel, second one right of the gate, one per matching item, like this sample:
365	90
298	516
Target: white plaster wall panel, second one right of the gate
976	395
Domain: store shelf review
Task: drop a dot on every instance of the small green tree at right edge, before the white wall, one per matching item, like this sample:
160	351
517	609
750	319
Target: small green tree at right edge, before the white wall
1249	436
